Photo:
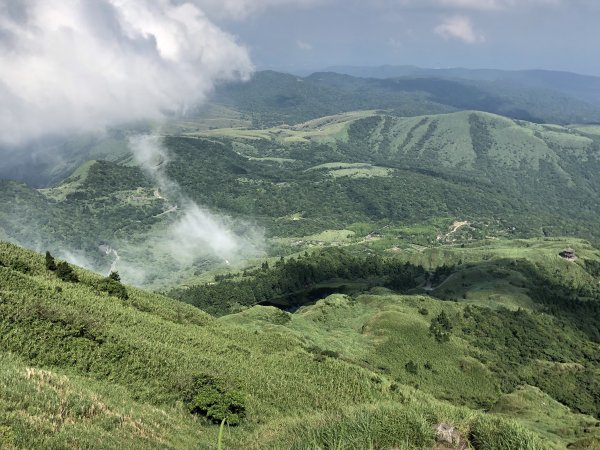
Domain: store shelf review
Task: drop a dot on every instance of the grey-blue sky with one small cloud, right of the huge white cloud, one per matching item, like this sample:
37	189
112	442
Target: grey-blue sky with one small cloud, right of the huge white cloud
511	34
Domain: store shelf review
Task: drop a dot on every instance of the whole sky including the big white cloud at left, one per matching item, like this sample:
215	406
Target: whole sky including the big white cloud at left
79	65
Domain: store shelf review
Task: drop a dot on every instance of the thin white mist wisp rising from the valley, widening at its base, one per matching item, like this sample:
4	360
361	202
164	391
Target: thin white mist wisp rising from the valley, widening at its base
188	237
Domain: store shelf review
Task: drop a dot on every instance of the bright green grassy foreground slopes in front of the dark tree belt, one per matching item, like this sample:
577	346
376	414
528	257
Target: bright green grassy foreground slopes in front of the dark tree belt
82	368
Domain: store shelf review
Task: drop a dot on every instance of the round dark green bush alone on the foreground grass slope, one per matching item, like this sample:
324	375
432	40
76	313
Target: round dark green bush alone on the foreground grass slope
208	398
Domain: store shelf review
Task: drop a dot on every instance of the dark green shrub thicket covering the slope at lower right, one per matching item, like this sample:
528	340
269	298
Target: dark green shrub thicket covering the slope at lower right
517	341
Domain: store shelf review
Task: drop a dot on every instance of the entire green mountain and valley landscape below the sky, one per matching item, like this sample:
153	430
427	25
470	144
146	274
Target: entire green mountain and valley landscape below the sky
320	271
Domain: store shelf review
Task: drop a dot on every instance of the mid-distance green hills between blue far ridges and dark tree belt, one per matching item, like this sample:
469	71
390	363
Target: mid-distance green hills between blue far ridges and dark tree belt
412	177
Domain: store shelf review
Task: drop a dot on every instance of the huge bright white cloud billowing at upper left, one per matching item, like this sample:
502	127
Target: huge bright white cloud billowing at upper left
70	65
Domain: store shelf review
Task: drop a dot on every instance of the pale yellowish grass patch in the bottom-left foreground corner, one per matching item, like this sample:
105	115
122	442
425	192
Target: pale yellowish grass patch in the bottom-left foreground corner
42	408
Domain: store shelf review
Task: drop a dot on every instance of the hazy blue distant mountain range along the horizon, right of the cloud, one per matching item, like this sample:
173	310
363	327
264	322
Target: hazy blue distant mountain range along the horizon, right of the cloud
273	98
